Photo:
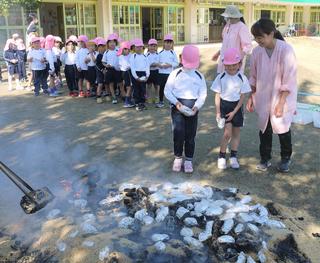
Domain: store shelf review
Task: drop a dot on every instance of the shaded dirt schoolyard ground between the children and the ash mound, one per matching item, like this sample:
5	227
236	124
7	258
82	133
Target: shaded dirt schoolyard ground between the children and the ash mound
137	147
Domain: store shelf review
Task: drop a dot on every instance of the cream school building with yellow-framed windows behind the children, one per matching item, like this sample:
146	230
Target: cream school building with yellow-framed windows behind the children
190	21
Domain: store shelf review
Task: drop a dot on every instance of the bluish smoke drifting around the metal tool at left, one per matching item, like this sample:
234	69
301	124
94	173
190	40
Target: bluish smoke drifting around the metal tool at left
41	161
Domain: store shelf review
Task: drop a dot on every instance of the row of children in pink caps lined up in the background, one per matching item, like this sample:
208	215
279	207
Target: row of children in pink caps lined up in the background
106	69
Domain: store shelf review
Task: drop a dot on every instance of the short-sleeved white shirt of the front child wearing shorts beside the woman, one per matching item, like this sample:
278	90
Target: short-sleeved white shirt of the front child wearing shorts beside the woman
231	87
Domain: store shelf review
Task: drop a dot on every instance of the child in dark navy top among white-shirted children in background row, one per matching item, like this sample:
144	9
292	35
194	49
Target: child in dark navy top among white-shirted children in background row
100	69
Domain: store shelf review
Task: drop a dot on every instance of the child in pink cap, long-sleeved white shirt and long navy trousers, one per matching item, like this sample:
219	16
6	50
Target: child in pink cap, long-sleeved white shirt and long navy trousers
186	101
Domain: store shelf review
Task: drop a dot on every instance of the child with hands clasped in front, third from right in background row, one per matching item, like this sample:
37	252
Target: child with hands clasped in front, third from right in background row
140	71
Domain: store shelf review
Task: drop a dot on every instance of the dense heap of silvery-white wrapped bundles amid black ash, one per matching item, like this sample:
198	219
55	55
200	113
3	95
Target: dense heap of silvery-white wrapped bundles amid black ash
207	223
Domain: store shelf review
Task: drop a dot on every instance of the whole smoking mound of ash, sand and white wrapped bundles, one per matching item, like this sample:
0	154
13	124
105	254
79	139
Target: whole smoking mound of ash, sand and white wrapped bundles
184	222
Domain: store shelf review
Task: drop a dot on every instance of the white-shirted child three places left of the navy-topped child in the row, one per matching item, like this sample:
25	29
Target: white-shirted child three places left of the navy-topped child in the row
68	58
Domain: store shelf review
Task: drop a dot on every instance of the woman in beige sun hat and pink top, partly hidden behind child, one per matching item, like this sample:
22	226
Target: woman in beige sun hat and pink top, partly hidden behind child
234	35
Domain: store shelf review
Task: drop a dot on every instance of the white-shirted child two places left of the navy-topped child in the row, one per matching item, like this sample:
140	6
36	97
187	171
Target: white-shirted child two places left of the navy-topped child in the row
82	66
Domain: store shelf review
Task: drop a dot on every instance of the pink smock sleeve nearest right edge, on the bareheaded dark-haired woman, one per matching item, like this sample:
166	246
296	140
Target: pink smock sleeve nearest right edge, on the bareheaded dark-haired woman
289	70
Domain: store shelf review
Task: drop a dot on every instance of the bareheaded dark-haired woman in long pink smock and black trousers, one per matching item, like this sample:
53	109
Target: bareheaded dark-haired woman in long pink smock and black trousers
273	82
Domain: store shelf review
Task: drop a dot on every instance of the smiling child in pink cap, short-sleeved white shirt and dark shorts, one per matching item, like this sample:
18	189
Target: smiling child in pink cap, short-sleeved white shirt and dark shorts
230	87
